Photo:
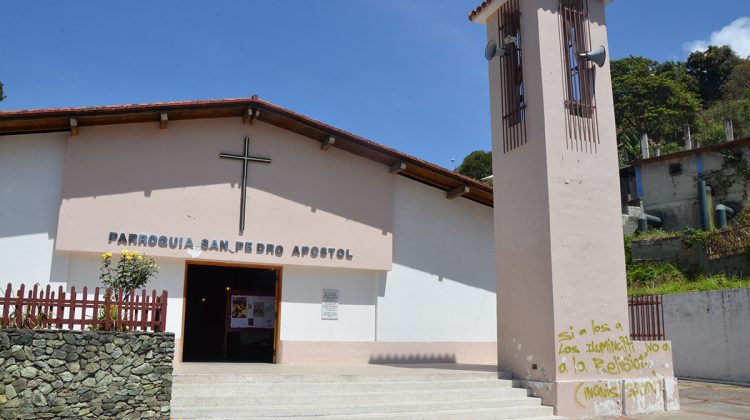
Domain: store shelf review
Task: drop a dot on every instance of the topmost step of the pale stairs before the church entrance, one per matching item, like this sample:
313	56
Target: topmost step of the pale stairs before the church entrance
209	378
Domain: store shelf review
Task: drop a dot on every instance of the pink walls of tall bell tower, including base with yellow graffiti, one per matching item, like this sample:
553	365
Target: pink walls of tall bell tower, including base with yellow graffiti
562	302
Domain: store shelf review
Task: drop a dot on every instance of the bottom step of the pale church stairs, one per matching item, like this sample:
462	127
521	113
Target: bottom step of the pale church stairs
504	408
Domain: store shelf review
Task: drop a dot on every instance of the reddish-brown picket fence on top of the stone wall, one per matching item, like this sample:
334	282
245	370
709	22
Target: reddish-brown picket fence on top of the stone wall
36	308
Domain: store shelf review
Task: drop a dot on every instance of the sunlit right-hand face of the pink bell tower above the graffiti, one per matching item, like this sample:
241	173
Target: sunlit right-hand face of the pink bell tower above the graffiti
587	250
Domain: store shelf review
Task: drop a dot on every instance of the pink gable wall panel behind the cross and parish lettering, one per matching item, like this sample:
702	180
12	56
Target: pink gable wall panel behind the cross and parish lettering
136	178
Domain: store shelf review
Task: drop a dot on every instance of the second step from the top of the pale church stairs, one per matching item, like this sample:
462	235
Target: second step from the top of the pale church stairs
183	387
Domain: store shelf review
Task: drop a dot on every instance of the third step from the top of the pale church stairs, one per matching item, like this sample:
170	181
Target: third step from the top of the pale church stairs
322	395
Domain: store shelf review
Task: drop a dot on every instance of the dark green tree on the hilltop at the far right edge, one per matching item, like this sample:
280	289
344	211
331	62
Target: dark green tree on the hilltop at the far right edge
711	68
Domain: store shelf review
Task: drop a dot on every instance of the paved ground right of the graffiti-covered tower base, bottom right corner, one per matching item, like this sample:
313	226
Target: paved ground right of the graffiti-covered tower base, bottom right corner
707	401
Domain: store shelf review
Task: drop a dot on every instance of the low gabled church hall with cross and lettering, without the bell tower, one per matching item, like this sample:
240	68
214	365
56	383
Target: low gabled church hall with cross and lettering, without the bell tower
279	238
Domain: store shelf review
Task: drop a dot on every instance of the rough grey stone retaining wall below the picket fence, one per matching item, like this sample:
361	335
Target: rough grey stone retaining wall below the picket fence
51	374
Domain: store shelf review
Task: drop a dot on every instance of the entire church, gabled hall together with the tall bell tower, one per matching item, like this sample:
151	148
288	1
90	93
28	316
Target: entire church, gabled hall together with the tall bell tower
283	239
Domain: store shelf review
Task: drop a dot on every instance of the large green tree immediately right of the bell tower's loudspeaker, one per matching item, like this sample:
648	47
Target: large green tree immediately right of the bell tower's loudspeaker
657	99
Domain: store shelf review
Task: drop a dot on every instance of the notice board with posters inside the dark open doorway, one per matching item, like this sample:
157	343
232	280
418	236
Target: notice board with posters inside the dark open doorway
246	310
